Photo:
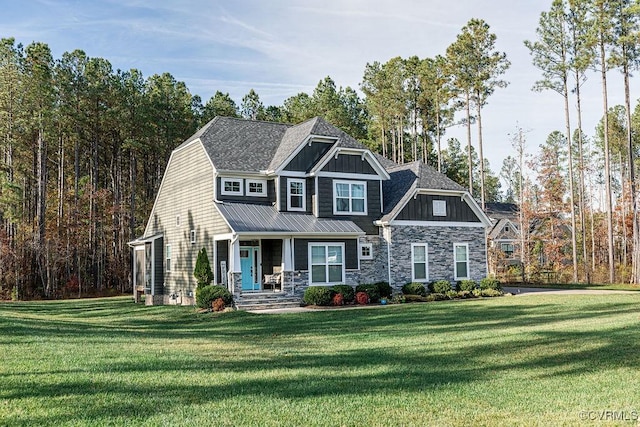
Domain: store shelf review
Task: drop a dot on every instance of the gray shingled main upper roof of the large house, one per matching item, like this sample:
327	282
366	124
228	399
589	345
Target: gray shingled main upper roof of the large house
254	146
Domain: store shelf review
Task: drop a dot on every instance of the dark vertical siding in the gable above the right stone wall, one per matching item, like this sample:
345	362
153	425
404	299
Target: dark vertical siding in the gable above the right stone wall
421	209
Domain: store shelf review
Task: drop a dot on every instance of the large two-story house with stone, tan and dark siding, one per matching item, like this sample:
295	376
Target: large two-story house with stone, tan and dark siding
280	208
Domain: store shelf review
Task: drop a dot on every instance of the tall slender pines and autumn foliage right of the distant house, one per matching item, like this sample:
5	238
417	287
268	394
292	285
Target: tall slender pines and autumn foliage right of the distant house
585	189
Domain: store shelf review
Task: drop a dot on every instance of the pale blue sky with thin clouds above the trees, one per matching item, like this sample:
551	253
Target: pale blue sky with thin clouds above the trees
280	48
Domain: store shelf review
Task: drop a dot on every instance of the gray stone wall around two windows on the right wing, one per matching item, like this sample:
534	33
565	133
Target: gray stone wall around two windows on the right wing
440	242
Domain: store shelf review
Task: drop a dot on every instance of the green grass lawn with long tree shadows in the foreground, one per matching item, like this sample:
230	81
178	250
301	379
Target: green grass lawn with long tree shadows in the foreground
535	360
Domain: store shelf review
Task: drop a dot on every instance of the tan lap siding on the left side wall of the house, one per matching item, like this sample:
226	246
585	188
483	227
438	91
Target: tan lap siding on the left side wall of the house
186	192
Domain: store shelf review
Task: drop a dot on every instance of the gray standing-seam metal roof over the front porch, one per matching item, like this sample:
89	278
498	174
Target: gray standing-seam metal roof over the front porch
244	217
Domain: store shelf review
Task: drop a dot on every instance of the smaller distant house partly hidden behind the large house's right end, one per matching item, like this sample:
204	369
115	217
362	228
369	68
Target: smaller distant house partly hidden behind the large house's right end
503	236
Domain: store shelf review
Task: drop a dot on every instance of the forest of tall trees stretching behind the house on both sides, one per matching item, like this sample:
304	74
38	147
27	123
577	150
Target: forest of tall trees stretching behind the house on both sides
83	147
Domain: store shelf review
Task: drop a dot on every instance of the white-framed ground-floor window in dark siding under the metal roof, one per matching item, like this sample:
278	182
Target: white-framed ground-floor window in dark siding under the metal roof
326	263
